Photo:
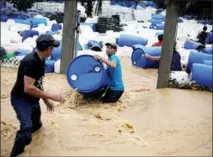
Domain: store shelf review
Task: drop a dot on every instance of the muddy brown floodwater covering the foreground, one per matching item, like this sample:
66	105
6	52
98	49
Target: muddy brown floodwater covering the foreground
147	121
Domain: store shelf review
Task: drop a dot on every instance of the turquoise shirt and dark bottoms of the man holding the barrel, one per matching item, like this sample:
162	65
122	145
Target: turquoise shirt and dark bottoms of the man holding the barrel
116	86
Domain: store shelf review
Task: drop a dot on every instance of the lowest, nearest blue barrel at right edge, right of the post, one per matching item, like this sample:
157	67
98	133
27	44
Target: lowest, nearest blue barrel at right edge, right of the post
202	75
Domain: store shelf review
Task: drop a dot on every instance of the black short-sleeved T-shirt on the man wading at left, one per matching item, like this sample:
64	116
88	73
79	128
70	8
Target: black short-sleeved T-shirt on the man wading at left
31	66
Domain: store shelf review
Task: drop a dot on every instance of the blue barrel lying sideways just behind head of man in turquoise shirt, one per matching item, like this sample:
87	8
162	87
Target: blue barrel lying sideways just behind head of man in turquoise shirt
130	40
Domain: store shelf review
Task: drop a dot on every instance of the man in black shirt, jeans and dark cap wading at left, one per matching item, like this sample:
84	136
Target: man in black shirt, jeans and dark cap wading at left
27	91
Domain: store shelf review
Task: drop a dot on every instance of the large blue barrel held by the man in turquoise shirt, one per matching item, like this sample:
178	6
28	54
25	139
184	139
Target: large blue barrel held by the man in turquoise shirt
87	75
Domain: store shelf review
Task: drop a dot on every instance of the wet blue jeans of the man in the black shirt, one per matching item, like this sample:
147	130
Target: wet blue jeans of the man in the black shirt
29	116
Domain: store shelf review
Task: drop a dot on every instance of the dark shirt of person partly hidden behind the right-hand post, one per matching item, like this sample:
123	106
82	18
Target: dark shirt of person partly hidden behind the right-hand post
176	62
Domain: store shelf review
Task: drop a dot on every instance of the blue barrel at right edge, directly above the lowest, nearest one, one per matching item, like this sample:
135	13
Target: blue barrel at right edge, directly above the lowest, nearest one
197	57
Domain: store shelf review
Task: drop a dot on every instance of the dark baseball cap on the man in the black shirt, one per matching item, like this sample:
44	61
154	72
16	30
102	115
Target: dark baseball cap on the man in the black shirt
45	41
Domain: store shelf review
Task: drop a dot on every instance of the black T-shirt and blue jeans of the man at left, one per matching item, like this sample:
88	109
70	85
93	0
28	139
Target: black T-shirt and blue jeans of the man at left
27	107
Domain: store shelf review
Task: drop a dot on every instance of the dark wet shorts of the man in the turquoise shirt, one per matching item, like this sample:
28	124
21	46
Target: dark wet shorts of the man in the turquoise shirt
112	96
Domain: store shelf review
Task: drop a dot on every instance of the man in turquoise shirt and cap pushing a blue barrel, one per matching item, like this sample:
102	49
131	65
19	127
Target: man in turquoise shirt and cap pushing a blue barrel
114	71
